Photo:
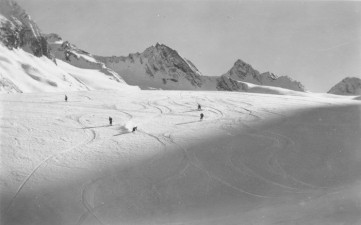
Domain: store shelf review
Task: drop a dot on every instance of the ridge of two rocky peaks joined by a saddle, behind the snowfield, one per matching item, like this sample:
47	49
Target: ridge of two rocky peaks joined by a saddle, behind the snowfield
161	67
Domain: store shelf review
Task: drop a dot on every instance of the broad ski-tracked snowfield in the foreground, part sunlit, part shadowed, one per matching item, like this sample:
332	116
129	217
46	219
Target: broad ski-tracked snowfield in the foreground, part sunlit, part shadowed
254	159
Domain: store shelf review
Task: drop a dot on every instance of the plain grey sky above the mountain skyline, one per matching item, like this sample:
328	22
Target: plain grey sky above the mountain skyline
316	43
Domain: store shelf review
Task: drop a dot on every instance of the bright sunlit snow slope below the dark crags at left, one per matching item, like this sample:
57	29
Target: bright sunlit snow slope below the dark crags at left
21	71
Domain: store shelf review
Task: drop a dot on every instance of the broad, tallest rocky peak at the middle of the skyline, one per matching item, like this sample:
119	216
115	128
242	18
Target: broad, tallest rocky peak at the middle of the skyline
158	67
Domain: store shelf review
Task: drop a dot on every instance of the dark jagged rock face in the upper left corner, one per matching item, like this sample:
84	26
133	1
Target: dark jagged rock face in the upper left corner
17	30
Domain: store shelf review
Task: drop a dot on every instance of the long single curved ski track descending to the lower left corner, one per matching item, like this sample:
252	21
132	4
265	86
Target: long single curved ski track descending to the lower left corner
42	163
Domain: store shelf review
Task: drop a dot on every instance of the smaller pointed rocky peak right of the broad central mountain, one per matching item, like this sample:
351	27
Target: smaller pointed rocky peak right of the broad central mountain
242	71
